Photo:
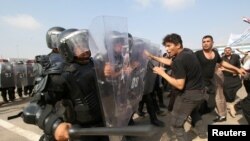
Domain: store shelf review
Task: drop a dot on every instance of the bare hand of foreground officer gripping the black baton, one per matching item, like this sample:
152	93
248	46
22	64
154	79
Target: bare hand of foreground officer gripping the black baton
62	132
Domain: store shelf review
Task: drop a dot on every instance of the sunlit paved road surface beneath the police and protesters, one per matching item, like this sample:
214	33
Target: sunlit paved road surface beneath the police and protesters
16	130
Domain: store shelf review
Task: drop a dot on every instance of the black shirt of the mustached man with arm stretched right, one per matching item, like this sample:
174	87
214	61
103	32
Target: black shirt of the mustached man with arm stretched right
208	65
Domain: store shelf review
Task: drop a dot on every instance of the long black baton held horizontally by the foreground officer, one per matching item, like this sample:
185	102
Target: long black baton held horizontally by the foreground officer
142	130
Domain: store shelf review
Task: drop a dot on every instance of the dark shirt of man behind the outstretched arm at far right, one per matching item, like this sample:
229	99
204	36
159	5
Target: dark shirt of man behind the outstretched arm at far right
234	60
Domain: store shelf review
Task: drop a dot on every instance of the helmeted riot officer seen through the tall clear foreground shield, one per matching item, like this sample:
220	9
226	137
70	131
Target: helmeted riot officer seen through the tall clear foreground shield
111	72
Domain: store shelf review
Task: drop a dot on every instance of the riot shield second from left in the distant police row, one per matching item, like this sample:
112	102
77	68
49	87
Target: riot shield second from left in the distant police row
20	75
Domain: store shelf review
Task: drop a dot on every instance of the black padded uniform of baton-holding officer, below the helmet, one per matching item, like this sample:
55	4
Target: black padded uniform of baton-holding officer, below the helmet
73	83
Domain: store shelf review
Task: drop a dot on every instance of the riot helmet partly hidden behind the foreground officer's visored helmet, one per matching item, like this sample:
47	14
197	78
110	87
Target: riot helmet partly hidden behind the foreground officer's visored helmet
52	36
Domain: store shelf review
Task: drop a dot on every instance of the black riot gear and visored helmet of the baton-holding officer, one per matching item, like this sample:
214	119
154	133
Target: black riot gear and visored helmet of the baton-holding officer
74	83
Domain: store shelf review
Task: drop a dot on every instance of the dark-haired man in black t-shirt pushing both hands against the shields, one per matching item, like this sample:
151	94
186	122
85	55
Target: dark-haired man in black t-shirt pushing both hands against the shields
186	79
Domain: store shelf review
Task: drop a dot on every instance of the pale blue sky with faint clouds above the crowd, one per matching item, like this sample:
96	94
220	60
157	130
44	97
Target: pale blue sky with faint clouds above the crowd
24	23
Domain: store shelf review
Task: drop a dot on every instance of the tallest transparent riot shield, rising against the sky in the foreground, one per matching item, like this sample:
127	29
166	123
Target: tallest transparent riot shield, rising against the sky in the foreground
109	48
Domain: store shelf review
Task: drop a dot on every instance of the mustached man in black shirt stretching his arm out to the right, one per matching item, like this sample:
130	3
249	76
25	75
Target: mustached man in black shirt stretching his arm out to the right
208	57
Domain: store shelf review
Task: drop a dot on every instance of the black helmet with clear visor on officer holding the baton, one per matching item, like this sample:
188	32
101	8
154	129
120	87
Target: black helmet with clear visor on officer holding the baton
74	45
